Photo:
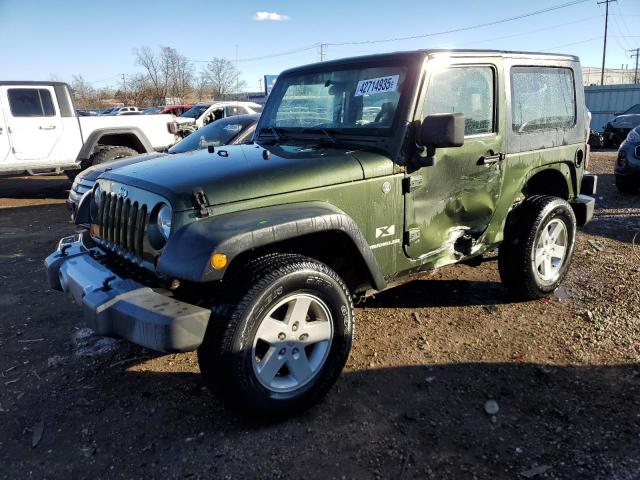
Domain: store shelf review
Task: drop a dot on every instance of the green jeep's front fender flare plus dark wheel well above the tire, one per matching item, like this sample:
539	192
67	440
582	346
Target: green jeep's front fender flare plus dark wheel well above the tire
315	229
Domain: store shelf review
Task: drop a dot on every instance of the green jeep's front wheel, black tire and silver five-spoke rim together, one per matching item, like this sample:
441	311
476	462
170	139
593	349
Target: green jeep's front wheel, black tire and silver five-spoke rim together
281	339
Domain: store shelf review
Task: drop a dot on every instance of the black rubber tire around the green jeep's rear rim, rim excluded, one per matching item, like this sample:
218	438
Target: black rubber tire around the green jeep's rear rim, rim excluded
523	230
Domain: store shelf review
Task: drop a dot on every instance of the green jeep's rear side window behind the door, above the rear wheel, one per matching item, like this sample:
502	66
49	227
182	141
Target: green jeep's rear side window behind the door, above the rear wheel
542	98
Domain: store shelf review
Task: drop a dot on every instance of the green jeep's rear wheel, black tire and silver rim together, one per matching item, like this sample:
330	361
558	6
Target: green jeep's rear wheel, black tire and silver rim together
538	246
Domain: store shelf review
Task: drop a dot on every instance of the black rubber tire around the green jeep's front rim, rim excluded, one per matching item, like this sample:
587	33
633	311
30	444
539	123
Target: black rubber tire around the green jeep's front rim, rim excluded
226	357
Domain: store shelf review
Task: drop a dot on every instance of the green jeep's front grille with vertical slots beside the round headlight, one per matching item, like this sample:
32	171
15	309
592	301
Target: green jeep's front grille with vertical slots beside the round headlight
121	224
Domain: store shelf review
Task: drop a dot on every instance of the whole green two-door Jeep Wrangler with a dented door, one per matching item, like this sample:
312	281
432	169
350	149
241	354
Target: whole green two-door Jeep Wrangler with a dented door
364	172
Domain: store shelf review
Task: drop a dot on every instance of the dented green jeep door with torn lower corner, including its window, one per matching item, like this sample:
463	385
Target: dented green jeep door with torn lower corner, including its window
454	200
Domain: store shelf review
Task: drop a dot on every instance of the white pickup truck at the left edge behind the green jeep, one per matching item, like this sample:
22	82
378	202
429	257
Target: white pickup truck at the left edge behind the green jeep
40	131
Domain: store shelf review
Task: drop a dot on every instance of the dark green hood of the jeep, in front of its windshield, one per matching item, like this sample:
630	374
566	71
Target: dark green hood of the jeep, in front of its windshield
245	172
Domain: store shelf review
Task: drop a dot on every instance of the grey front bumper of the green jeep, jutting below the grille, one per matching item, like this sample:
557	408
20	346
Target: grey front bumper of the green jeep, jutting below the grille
120	307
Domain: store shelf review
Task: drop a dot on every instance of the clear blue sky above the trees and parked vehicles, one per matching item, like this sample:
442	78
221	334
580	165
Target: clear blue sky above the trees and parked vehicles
41	39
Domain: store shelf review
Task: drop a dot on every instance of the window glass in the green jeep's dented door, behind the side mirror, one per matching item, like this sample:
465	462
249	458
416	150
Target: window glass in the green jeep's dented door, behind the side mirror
467	90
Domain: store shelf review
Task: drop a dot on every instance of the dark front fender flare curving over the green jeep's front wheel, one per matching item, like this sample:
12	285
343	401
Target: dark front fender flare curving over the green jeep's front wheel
187	253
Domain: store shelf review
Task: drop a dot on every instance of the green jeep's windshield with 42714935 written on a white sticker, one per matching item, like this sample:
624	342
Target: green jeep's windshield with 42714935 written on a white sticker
364	99
